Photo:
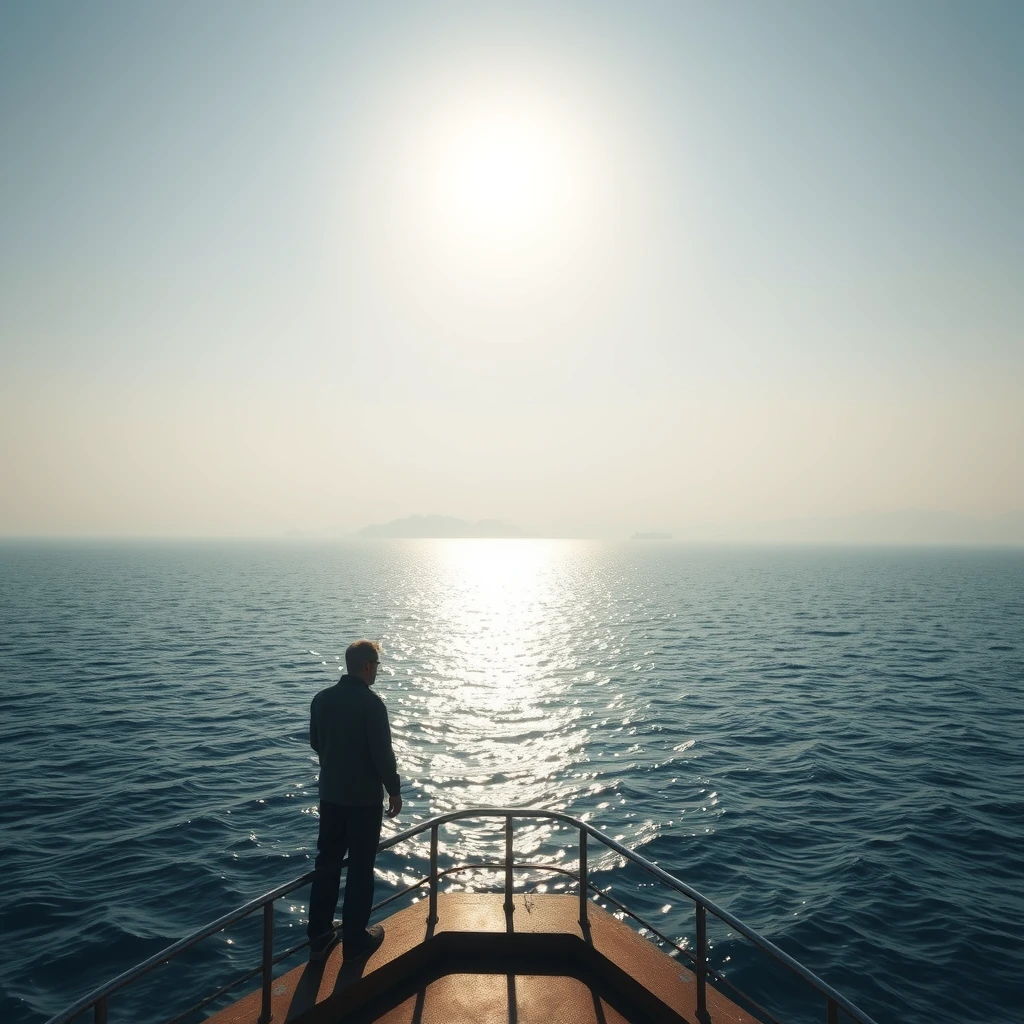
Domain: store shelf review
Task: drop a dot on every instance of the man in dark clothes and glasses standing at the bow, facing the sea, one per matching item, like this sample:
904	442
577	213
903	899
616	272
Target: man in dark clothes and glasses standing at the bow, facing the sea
350	730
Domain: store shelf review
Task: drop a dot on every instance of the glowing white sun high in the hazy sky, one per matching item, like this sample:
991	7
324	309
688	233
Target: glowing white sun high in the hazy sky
496	181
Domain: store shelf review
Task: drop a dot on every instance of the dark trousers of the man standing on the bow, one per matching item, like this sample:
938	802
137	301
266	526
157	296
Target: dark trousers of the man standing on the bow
356	831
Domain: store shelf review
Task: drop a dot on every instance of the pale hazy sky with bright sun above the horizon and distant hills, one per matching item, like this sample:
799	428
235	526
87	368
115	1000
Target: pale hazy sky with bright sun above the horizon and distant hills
586	268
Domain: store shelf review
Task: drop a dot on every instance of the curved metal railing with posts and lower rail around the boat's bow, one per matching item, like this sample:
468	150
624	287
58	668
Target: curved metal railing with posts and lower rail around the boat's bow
835	1002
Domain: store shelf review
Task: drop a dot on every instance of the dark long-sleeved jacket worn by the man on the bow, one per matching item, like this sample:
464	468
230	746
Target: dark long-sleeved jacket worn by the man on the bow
349	729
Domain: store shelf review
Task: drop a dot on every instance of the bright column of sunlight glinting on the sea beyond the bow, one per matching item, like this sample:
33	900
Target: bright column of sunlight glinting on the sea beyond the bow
481	707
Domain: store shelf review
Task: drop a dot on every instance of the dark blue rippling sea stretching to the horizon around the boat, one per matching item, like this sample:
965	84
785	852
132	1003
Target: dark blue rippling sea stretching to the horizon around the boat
828	743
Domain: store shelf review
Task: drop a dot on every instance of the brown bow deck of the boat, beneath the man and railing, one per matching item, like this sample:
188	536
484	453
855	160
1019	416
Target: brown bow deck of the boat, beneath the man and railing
480	965
